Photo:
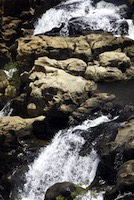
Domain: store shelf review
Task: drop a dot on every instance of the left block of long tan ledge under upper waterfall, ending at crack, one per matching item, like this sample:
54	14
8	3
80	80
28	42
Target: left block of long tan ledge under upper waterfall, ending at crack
52	47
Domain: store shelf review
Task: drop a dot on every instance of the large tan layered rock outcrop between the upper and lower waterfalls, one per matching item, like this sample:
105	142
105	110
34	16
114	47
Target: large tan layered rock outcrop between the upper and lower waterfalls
58	73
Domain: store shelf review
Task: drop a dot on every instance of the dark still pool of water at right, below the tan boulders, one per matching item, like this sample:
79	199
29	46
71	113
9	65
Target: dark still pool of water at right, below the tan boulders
123	90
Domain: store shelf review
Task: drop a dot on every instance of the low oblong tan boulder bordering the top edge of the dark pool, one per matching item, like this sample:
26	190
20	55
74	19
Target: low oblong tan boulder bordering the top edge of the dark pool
106	74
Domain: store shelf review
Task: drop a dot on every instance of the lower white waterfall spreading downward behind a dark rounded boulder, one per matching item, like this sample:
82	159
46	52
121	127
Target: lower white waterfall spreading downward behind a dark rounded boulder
60	161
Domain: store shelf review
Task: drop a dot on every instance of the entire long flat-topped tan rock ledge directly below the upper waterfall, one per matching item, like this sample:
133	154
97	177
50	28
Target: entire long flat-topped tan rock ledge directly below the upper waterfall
82	47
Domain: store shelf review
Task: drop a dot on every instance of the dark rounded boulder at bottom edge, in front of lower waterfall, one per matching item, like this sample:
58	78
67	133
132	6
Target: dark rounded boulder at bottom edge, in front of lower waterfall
65	190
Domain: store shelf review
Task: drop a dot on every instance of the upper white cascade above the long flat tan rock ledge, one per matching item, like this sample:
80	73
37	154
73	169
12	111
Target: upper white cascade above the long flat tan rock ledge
87	15
